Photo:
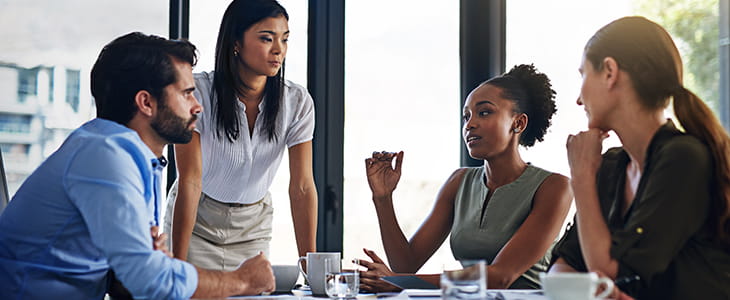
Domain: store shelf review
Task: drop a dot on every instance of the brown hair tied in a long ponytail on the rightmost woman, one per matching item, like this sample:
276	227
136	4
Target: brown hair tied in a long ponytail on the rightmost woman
646	51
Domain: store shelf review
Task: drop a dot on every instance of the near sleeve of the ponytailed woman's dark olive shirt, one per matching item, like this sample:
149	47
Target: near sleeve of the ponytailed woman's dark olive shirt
673	206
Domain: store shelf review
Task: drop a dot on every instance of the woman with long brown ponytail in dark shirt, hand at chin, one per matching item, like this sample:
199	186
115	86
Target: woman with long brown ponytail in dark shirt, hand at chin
652	214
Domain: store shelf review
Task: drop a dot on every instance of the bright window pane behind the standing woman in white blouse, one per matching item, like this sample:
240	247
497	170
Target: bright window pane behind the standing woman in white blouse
205	18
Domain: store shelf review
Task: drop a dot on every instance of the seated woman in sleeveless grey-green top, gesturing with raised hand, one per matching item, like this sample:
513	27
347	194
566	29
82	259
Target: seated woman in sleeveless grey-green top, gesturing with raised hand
506	212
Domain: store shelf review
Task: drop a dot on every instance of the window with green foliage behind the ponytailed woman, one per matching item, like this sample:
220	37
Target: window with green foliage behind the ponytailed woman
556	48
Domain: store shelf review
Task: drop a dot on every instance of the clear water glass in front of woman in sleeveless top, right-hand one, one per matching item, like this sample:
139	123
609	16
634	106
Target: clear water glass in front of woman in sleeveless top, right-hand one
469	283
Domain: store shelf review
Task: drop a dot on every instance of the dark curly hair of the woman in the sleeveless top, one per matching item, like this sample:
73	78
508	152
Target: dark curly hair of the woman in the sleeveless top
533	95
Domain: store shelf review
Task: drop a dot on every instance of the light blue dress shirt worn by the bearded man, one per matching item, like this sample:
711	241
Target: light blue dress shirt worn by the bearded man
88	209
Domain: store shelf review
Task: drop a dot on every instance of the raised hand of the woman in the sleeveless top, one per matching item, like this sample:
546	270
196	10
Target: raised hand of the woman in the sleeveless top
382	176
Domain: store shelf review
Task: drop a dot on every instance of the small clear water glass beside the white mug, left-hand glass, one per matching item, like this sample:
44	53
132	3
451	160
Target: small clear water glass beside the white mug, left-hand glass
341	283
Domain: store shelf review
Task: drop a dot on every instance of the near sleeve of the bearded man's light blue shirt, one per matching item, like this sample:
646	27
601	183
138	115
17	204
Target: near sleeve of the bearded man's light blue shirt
113	205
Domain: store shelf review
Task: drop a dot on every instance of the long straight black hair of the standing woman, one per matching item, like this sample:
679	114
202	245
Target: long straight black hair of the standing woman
239	16
